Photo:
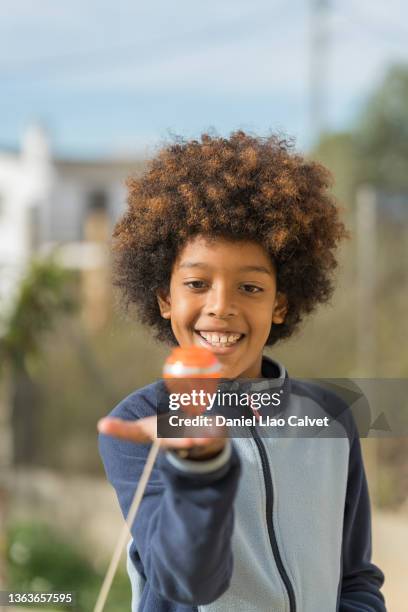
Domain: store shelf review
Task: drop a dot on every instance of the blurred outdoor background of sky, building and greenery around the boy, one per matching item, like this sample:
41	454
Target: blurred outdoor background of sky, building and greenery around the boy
88	92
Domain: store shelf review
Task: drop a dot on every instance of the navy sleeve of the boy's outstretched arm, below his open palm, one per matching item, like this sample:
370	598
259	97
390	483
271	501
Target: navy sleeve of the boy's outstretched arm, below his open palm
182	532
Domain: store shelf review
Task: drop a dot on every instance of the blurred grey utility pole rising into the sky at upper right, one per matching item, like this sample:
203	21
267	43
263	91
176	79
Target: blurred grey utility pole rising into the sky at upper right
319	67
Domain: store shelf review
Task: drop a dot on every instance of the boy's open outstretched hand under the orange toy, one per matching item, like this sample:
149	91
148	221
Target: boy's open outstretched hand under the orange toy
144	431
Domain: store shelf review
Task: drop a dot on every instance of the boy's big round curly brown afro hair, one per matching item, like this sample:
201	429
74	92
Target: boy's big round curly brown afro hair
244	188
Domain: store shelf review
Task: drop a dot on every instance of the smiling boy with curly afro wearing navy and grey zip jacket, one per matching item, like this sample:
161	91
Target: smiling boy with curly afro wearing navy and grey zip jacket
227	244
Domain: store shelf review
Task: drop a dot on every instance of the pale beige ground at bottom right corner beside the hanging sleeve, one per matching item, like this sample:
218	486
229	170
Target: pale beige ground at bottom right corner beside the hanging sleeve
390	553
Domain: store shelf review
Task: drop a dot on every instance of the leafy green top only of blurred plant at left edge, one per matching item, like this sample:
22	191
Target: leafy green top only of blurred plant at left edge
45	293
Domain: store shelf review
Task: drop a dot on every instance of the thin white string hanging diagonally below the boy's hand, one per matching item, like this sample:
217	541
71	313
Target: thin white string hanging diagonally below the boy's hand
124	535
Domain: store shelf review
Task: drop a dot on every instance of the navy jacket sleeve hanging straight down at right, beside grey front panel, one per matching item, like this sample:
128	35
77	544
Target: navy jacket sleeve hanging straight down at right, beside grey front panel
361	580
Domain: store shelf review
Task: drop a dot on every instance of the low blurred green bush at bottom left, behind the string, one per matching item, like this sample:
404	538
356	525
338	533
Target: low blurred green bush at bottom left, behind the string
40	560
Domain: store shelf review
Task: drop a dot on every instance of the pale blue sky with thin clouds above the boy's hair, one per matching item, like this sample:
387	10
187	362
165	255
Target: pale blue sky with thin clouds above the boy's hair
112	78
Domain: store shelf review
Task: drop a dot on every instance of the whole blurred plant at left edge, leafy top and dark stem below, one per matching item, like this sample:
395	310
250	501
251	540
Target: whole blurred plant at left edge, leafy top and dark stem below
45	294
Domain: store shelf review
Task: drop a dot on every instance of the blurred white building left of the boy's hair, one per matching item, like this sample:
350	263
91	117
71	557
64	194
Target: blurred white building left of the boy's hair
45	200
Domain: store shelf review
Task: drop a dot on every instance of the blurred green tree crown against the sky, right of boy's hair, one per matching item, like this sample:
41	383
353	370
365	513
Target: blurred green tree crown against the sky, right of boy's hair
375	149
